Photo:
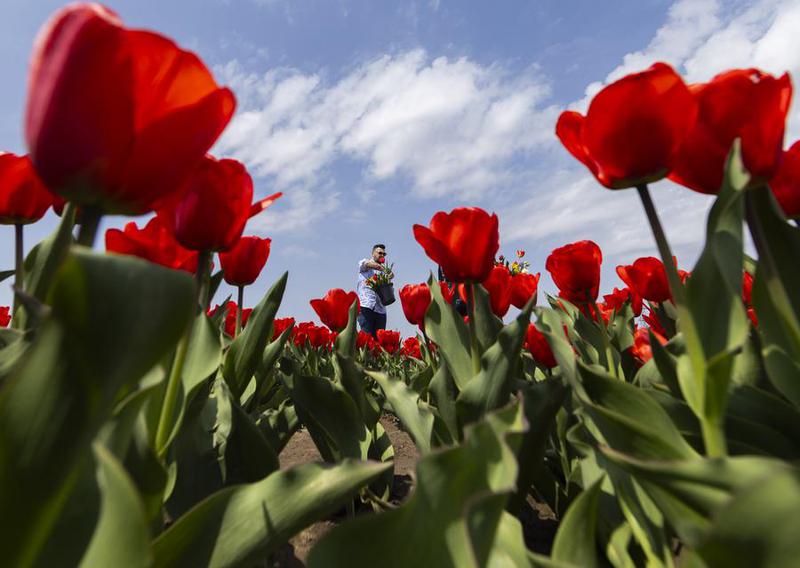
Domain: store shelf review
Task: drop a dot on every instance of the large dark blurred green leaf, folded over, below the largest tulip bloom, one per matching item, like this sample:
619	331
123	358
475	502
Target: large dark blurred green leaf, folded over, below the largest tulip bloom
95	346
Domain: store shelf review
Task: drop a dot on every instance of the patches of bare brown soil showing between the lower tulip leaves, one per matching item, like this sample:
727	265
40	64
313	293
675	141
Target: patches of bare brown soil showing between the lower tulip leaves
538	521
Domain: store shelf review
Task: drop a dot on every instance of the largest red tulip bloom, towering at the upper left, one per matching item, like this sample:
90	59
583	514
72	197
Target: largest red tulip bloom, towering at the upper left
118	118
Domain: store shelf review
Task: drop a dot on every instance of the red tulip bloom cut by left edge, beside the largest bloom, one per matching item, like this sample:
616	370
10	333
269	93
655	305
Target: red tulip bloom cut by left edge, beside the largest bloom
23	197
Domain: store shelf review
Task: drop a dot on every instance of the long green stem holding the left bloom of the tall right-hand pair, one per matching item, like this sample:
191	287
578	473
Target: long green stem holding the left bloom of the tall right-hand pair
713	433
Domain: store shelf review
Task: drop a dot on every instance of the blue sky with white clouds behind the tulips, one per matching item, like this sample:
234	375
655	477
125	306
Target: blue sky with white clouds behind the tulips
371	116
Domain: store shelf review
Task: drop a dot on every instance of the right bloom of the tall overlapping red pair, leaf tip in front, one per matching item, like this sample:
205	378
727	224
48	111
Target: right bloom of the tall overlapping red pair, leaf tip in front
742	103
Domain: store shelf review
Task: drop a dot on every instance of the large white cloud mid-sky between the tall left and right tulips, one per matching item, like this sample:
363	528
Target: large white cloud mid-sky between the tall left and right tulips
450	126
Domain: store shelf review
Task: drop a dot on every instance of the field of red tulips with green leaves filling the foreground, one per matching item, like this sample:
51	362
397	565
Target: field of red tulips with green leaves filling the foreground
142	422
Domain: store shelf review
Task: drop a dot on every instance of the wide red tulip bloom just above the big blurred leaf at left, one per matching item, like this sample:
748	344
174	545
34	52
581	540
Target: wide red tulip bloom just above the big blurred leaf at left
154	242
